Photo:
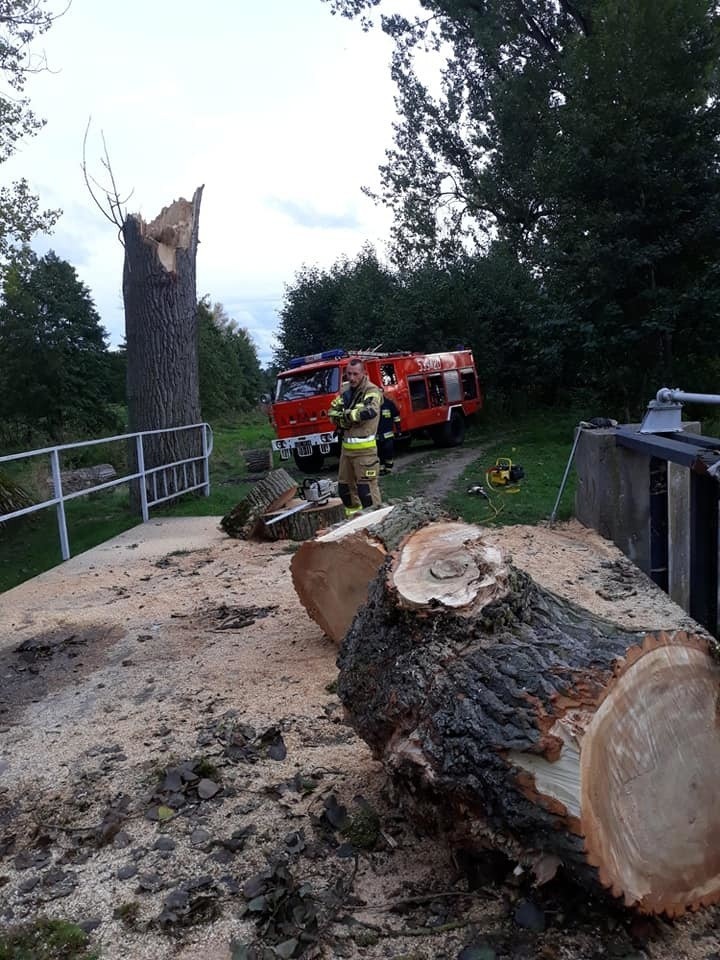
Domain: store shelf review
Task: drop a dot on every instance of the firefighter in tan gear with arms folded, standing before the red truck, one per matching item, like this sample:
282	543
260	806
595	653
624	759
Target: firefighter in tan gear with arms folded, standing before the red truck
355	414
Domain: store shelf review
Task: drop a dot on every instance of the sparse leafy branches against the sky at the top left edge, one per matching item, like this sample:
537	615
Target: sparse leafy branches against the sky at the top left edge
20	22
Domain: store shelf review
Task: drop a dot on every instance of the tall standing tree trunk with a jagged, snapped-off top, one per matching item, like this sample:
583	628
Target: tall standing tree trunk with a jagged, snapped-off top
159	292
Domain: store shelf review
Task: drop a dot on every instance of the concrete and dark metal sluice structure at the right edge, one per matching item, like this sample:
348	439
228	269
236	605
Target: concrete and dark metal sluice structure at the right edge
659	500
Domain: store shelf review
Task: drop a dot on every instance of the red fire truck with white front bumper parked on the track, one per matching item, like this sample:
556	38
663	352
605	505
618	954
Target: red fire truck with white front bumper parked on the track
434	393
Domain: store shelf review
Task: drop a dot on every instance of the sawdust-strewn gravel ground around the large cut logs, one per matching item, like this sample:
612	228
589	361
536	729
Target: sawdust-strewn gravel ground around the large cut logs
169	733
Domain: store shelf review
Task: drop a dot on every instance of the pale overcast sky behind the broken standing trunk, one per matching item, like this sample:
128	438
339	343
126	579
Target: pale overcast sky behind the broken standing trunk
280	109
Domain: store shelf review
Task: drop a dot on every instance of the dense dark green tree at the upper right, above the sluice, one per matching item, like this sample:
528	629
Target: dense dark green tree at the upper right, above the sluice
631	244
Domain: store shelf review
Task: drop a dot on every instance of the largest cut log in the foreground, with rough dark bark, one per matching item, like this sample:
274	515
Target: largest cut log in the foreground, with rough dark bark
508	717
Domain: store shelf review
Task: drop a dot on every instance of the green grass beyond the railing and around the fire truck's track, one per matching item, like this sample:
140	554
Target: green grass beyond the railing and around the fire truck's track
540	442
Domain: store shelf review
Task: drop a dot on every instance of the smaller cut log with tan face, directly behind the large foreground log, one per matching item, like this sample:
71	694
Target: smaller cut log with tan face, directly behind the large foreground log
331	573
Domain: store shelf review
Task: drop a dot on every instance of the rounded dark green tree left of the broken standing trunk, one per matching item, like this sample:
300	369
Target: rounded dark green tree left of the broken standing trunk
53	375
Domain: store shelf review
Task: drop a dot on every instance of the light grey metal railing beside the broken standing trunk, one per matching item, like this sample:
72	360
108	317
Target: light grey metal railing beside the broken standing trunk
156	484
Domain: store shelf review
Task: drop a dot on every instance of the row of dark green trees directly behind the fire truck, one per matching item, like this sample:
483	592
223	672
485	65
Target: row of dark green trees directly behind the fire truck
489	303
